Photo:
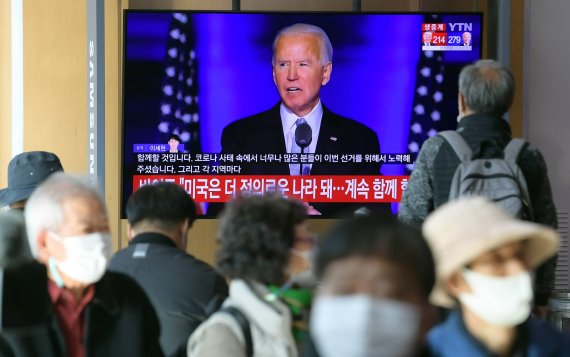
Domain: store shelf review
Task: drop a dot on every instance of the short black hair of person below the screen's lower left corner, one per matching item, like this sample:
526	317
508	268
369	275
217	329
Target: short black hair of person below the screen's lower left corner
163	204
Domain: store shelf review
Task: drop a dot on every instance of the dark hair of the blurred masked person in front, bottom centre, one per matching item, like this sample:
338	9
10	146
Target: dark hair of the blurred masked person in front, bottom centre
379	237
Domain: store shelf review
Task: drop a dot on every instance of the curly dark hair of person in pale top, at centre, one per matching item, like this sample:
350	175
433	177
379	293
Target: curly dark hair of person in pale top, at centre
255	236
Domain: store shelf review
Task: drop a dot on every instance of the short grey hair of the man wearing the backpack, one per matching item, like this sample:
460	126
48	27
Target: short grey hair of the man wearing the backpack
488	87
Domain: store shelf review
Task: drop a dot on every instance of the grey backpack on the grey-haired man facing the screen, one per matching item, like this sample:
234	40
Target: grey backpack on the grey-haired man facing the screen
499	178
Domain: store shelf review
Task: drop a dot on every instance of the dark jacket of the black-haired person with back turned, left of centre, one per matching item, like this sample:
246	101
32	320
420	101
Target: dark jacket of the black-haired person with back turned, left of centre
178	285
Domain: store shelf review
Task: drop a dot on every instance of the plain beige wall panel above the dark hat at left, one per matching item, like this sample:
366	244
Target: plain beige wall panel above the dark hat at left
55	77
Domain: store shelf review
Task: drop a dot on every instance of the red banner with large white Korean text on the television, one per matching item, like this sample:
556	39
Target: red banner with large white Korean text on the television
222	188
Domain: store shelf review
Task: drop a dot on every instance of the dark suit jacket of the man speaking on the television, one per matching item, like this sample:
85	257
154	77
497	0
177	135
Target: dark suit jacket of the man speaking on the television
262	133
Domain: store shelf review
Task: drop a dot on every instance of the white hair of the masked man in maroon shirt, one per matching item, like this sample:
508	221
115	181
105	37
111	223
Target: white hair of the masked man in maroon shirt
44	208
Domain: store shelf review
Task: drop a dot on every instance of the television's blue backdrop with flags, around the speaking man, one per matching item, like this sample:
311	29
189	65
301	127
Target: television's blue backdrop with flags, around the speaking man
397	37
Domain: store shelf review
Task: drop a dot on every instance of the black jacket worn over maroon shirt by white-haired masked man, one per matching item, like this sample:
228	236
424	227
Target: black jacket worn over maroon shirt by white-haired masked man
120	322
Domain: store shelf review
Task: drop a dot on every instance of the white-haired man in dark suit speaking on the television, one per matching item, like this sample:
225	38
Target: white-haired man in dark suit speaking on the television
302	64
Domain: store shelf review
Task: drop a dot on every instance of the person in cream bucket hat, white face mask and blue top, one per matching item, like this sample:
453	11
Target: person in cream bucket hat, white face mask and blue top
485	260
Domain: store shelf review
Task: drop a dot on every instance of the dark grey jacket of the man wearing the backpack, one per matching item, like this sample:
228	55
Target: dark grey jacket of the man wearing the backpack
429	183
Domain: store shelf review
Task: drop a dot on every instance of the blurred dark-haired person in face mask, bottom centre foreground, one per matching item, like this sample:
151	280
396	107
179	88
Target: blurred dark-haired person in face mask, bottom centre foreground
376	278
